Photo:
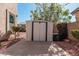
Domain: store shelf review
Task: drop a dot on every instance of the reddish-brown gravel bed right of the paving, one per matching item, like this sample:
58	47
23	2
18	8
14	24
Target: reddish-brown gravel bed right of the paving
72	47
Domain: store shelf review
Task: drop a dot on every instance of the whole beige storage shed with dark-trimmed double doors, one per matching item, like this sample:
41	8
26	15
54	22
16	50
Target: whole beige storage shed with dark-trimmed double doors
39	31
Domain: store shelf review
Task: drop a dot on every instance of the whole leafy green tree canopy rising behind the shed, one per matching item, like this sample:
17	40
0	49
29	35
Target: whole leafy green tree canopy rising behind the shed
51	12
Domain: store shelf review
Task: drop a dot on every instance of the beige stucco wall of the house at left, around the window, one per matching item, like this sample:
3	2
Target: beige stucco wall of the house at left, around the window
11	7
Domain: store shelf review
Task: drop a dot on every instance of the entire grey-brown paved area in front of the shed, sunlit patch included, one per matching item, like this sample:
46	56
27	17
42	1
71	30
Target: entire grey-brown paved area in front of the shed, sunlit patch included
23	48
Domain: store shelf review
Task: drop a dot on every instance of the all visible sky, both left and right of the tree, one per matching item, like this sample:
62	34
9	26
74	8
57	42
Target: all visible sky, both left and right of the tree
25	8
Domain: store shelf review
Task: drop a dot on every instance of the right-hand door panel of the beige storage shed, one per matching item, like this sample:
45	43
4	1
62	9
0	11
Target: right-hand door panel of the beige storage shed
42	31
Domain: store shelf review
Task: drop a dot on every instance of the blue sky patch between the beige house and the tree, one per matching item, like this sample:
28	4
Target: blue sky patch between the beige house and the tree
24	11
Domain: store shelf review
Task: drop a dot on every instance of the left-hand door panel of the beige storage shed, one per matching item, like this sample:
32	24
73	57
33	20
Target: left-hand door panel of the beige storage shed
36	32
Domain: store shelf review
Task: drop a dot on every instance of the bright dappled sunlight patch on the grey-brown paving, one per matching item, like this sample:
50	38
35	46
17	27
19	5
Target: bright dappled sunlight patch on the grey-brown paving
54	49
